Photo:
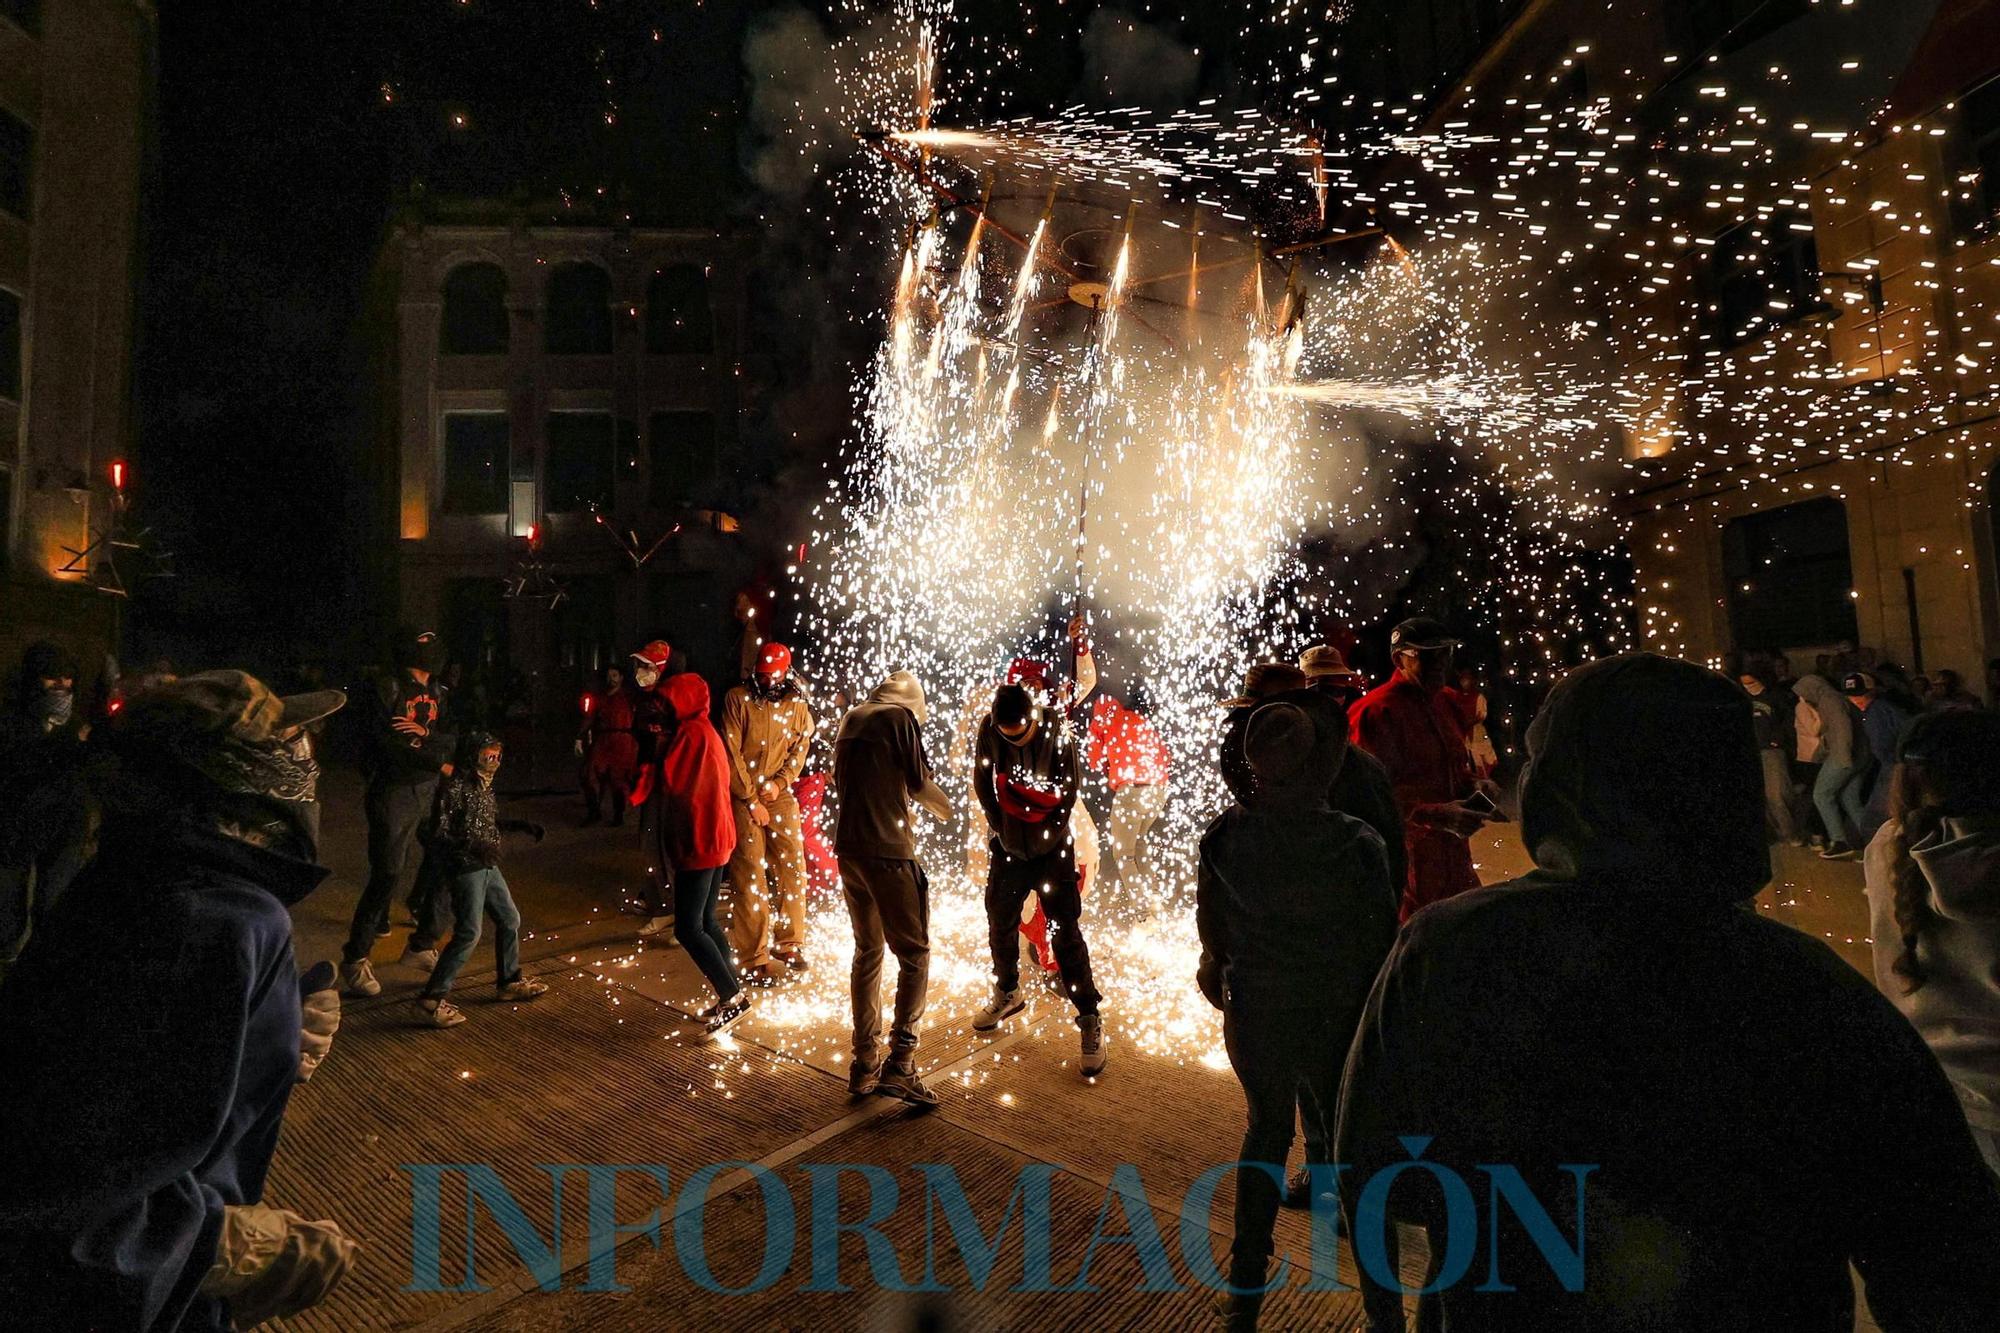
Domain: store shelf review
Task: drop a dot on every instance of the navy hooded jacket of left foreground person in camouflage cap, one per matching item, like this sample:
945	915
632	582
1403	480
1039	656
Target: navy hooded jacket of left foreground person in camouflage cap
151	1042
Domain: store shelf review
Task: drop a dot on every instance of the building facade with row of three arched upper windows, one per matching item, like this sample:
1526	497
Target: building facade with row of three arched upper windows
561	451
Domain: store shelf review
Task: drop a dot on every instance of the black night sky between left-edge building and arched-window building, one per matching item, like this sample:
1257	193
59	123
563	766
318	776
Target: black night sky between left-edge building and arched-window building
281	141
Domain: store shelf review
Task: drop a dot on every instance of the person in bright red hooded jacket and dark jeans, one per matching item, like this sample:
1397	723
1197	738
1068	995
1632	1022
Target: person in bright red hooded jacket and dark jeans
697	834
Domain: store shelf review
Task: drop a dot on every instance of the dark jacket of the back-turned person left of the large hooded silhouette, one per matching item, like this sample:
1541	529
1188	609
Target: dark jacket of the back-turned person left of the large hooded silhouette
1291	898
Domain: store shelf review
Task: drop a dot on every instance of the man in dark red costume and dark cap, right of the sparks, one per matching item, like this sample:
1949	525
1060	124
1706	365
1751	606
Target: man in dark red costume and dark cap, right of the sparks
1415	726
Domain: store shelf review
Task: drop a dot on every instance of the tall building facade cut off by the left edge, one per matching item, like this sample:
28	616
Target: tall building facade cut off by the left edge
75	87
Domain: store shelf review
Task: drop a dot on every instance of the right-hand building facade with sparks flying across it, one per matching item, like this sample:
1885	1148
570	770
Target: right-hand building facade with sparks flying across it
1819	469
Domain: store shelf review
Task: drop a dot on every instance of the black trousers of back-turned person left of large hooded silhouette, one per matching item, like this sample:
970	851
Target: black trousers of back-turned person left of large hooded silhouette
1285	1058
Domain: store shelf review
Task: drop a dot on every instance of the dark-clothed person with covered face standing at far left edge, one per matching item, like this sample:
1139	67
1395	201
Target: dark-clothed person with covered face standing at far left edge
45	794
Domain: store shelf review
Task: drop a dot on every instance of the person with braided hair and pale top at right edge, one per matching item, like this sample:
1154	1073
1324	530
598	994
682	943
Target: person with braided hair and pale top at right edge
1935	904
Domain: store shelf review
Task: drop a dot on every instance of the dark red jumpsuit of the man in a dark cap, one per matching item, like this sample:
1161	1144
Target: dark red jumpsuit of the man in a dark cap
1421	740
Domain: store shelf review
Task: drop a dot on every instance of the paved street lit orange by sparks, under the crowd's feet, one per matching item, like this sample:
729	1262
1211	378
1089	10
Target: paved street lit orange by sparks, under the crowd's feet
611	1070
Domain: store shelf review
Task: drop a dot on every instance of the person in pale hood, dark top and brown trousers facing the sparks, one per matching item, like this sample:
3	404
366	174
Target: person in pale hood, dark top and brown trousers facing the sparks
879	772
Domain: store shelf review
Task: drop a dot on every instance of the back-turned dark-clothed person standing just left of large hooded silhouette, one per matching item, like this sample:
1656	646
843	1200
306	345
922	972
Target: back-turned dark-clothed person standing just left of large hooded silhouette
1297	912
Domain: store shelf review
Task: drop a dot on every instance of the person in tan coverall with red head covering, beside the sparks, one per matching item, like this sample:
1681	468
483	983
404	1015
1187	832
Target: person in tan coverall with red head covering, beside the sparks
767	728
